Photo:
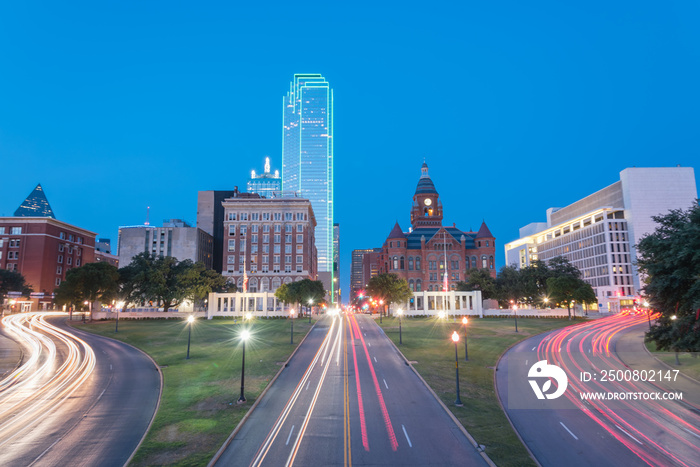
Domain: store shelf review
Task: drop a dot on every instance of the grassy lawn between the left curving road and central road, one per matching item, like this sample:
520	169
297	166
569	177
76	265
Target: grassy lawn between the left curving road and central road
198	408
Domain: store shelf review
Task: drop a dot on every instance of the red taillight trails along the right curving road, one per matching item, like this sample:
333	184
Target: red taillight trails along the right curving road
635	425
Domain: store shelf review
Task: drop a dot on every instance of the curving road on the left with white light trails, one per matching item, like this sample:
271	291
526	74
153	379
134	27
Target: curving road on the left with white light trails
76	399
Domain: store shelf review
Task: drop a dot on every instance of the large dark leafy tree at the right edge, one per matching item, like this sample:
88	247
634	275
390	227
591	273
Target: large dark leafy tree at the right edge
669	258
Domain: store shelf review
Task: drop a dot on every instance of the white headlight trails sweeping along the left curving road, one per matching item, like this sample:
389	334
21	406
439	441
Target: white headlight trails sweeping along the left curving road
39	386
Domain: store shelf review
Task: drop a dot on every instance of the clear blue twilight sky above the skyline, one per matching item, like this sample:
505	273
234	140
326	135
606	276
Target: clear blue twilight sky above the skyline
516	106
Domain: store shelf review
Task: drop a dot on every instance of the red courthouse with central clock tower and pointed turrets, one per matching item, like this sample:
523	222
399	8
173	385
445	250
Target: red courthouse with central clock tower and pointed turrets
431	255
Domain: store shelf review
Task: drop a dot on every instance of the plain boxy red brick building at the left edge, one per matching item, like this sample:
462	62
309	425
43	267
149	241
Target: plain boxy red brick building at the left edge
43	249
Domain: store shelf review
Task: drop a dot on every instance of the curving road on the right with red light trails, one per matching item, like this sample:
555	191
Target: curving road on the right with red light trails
571	431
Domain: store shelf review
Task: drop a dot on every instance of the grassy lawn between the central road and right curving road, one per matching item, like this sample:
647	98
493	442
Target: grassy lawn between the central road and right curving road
427	341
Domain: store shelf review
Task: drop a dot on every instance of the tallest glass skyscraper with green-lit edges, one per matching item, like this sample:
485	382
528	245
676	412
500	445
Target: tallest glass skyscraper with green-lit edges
307	159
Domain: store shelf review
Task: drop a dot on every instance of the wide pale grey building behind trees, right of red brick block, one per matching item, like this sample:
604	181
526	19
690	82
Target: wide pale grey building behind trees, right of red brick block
174	238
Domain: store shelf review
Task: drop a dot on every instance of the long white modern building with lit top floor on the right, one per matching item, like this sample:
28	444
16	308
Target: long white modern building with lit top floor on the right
599	233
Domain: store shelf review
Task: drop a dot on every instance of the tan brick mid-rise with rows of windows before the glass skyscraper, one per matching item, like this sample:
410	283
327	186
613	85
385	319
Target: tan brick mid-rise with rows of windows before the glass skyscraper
268	241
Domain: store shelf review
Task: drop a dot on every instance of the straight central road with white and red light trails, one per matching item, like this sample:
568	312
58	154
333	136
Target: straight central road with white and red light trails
348	398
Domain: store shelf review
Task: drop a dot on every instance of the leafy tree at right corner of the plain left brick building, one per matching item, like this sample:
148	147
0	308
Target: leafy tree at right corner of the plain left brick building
91	282
